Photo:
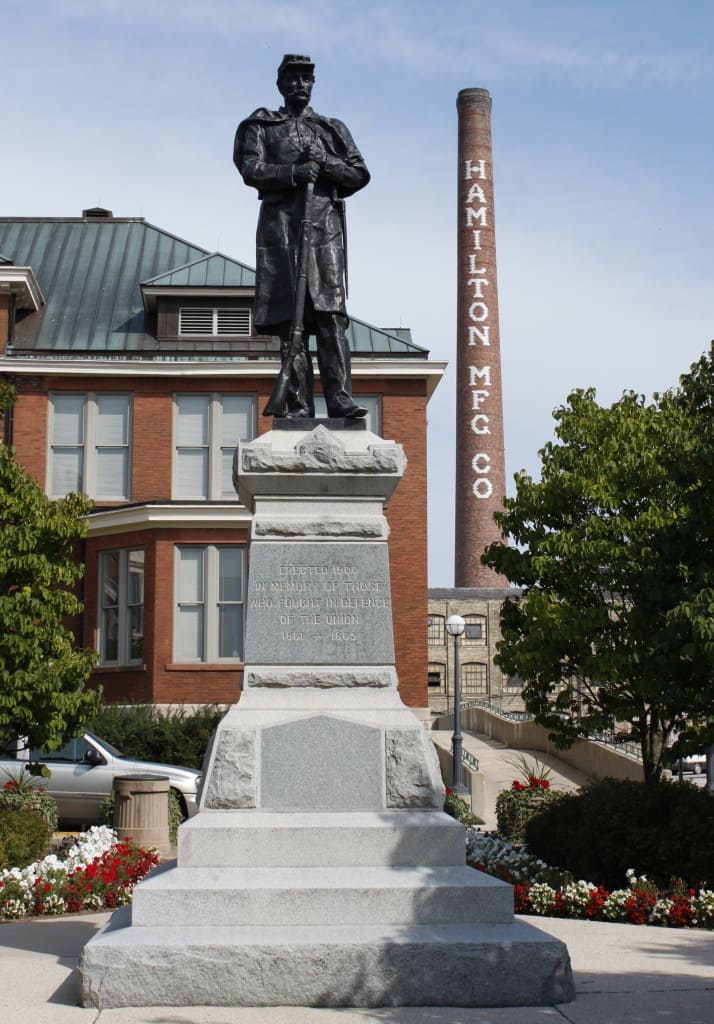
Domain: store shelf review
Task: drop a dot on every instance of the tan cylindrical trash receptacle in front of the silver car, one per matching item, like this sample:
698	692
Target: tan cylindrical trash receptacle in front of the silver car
142	812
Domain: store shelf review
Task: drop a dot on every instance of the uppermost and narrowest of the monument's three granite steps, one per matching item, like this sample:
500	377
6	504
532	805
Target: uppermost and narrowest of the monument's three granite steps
262	839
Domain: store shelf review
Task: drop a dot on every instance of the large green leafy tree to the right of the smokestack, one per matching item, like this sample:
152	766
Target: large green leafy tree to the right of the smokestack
615	627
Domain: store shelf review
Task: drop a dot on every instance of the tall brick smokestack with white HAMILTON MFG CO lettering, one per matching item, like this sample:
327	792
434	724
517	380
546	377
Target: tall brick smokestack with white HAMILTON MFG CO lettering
481	471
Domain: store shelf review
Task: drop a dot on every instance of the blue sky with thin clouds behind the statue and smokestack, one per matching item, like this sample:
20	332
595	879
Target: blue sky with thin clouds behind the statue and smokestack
603	167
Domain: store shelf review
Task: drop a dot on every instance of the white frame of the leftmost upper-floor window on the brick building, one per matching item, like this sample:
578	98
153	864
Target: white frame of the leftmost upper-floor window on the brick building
90	445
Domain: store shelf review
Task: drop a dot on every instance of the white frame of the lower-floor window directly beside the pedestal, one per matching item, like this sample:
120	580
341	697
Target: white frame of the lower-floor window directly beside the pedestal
211	605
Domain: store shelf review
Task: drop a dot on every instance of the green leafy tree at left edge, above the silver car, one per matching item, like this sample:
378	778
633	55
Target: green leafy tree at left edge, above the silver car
43	671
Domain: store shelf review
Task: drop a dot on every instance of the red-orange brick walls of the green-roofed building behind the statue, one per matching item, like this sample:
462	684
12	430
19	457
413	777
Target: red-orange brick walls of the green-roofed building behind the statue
160	680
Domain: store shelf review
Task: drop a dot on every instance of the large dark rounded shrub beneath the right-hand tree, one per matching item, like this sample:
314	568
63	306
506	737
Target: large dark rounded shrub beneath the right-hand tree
612	826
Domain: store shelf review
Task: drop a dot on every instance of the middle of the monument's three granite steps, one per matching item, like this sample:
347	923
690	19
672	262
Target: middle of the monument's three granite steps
187	897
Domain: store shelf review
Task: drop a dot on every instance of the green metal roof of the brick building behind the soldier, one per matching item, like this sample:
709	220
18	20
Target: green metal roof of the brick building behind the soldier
92	270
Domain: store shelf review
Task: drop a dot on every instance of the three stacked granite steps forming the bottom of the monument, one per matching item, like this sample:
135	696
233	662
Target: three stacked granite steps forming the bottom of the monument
322	910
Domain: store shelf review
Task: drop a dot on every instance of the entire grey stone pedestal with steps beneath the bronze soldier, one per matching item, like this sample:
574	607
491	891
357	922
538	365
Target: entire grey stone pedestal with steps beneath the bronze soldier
321	870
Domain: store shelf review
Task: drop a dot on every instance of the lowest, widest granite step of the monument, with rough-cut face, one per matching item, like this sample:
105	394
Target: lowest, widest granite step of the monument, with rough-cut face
329	966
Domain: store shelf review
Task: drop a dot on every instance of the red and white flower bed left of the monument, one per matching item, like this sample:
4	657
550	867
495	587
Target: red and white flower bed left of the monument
95	873
